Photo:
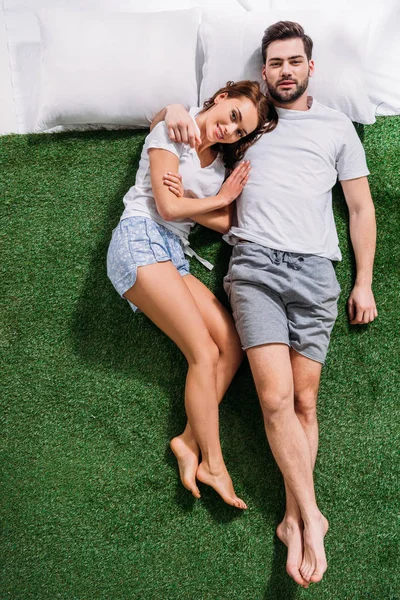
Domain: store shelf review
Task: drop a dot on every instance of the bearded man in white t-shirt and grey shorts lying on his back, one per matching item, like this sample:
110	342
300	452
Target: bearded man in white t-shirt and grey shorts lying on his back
281	282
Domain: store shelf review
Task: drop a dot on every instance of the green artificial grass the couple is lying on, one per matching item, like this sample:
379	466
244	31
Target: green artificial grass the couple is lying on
91	505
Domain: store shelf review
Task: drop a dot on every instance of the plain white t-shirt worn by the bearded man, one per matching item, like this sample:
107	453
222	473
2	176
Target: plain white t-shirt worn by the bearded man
287	202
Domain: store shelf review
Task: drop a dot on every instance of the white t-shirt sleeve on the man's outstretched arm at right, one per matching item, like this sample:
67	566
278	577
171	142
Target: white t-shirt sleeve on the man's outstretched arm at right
350	161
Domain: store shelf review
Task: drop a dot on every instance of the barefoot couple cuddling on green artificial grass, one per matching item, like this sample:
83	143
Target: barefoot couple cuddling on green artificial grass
281	283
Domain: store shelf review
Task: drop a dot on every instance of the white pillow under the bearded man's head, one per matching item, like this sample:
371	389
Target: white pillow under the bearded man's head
234	52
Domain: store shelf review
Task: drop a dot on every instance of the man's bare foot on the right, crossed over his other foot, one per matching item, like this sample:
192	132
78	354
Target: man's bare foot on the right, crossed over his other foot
314	562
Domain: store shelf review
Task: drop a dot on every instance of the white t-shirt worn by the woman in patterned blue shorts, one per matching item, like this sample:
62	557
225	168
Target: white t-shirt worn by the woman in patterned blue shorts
198	182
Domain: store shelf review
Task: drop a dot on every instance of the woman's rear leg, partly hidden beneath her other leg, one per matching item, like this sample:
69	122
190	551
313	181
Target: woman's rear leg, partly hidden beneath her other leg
222	330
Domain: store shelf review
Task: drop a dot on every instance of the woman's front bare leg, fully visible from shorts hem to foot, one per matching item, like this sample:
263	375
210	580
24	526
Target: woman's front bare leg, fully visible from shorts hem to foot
161	295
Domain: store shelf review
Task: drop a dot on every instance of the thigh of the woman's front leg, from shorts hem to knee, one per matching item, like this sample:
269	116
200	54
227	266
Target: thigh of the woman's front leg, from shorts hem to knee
161	294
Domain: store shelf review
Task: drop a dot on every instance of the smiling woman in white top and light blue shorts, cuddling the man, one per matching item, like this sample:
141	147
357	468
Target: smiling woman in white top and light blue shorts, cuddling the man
147	266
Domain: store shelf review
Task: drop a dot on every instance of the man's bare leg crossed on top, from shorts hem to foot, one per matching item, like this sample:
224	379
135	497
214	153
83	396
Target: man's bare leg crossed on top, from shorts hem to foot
272	372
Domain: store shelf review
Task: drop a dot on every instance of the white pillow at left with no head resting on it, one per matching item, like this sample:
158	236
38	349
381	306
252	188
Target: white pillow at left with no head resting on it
115	68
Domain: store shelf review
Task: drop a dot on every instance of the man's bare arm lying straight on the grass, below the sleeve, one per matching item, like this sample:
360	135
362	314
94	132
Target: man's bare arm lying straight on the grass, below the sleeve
361	303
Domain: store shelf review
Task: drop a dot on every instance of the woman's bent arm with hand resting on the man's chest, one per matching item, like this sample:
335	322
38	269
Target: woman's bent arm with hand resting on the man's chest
171	207
